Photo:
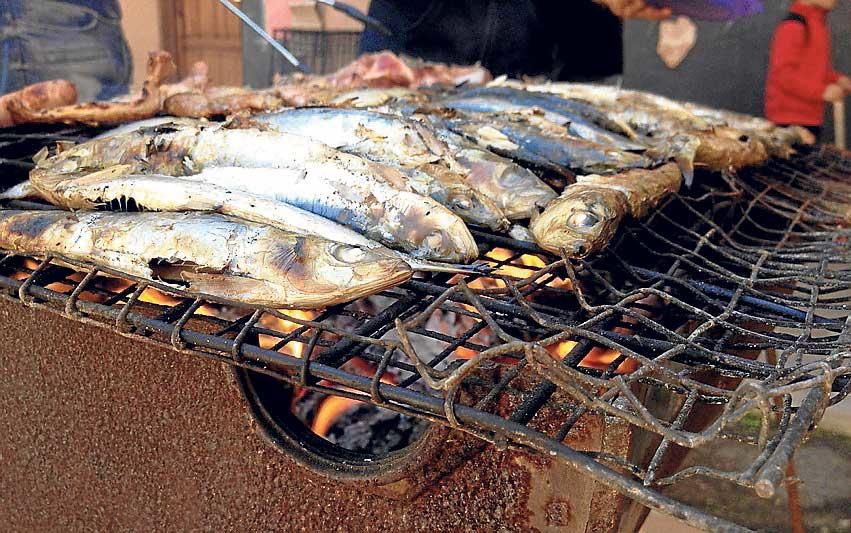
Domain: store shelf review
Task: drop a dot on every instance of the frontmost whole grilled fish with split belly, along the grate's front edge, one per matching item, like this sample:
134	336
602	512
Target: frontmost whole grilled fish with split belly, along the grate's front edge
208	255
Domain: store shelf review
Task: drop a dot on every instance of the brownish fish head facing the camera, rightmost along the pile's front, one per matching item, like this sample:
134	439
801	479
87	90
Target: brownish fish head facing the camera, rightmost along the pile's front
582	221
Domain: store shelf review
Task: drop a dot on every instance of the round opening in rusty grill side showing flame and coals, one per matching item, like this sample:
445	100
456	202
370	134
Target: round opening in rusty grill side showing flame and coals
335	436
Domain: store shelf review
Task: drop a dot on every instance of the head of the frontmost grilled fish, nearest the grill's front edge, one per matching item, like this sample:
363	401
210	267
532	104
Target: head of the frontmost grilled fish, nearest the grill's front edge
346	270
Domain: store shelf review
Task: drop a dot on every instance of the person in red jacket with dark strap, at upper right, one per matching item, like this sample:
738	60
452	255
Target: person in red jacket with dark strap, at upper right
801	77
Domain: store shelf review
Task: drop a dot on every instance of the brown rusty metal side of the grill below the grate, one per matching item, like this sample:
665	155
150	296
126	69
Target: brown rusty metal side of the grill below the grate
101	432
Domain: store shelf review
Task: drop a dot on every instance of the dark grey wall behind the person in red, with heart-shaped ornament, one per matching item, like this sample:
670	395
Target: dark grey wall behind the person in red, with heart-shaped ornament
727	66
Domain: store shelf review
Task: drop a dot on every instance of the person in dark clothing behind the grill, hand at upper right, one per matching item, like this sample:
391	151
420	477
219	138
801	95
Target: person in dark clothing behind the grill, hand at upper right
577	40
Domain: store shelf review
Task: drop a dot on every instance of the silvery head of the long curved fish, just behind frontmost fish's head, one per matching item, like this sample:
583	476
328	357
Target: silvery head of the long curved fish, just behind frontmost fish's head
428	230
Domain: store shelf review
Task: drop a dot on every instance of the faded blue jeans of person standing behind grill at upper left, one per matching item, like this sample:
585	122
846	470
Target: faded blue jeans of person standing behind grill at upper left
78	40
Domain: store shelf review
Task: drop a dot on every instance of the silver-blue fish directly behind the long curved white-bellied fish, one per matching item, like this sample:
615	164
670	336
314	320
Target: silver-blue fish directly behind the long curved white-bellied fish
396	142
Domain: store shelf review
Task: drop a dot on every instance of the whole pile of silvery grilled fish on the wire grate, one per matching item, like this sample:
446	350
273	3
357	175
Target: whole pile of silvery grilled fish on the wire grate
308	207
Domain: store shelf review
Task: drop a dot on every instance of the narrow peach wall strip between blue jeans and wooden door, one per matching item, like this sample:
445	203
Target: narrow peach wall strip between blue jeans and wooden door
141	21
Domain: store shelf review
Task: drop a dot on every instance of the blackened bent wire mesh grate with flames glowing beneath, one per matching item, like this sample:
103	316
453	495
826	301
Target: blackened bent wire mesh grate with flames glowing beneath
739	265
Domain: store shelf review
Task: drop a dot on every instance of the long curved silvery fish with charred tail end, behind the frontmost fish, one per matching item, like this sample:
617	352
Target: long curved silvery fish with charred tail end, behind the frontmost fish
372	199
